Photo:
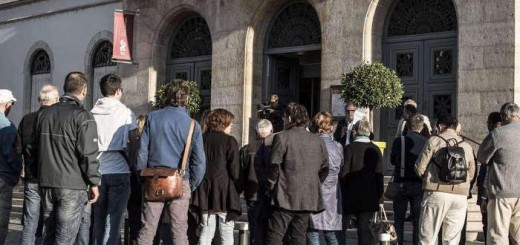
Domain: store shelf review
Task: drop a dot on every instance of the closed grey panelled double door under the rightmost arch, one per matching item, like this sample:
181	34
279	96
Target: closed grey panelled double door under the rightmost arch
427	69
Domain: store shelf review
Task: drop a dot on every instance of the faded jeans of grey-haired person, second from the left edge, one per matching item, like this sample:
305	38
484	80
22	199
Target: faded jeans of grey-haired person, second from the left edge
31	212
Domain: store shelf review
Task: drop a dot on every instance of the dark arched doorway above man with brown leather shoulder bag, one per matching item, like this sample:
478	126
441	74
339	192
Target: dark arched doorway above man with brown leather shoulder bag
189	57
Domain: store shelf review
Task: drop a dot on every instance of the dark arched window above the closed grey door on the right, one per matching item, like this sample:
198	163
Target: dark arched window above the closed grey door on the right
422	16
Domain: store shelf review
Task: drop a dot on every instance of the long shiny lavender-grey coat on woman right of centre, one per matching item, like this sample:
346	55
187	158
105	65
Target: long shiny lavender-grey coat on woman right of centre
330	219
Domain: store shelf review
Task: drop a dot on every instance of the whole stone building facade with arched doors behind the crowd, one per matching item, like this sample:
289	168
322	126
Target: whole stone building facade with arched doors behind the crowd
454	56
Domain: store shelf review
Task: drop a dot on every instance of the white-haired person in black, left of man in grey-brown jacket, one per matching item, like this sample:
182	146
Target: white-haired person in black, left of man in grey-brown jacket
254	159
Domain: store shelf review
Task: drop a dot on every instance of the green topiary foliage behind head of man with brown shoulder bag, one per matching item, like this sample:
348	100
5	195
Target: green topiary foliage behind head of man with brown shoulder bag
194	102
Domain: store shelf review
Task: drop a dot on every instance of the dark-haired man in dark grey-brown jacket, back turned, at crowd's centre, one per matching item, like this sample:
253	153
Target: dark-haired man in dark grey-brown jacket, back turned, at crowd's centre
299	164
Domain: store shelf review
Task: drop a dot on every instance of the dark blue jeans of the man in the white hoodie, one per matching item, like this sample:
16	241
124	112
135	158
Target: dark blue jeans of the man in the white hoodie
114	193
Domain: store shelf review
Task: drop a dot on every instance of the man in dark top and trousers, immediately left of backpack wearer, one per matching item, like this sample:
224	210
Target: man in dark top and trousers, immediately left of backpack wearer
405	151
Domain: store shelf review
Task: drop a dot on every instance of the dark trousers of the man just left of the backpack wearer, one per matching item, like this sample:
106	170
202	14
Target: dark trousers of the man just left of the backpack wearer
411	193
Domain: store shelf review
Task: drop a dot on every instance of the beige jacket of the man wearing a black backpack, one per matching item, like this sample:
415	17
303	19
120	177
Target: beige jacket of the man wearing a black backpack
427	170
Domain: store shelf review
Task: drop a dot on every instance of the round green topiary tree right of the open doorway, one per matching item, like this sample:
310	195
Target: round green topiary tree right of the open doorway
372	85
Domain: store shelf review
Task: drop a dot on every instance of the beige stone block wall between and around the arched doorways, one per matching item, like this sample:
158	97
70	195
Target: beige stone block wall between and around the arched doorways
352	30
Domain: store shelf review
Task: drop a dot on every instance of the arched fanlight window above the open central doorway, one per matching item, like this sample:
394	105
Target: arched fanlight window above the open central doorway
297	25
